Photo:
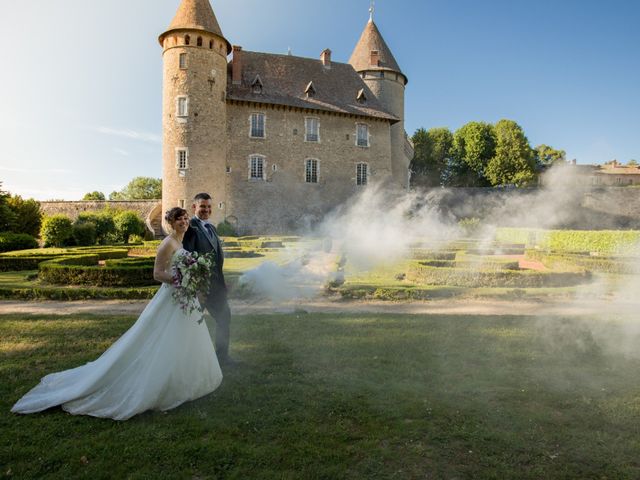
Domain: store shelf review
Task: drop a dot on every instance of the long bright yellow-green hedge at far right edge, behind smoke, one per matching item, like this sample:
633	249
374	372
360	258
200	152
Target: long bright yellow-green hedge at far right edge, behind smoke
622	242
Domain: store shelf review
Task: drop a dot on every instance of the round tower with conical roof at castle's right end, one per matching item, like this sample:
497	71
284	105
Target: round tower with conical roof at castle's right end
373	60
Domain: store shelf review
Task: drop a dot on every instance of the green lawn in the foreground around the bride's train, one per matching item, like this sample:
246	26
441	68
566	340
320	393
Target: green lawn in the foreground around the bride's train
347	396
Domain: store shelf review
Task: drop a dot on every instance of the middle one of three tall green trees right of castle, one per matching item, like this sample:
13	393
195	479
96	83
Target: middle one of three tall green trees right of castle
473	146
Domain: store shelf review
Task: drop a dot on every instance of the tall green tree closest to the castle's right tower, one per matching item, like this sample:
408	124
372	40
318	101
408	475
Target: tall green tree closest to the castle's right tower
431	157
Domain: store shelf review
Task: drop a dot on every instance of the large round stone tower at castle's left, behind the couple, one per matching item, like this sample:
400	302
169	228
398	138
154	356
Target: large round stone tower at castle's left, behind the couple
194	115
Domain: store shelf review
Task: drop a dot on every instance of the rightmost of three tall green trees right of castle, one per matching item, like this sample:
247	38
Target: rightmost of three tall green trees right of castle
513	163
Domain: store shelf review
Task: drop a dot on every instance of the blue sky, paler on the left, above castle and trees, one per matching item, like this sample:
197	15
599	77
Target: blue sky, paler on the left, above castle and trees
81	80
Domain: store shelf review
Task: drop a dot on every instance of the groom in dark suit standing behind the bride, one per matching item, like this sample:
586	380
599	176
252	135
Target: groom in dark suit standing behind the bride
202	237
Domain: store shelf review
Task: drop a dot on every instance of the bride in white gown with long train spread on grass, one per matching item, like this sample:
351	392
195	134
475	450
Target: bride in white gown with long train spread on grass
165	359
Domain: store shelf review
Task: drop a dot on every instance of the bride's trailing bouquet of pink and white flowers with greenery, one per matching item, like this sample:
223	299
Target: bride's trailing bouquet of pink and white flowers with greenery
192	276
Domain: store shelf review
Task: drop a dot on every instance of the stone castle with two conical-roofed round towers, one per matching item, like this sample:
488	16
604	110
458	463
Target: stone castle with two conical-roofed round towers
277	140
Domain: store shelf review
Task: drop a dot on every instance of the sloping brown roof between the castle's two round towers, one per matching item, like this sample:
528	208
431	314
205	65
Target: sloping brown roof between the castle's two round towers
285	78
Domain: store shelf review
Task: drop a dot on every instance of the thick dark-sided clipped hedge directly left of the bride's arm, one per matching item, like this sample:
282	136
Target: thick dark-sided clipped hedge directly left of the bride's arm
83	270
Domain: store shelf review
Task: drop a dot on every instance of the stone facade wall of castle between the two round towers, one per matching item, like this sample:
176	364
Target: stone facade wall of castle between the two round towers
283	202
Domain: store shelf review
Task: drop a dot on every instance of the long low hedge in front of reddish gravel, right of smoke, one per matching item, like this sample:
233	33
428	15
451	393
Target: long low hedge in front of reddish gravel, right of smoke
461	277
